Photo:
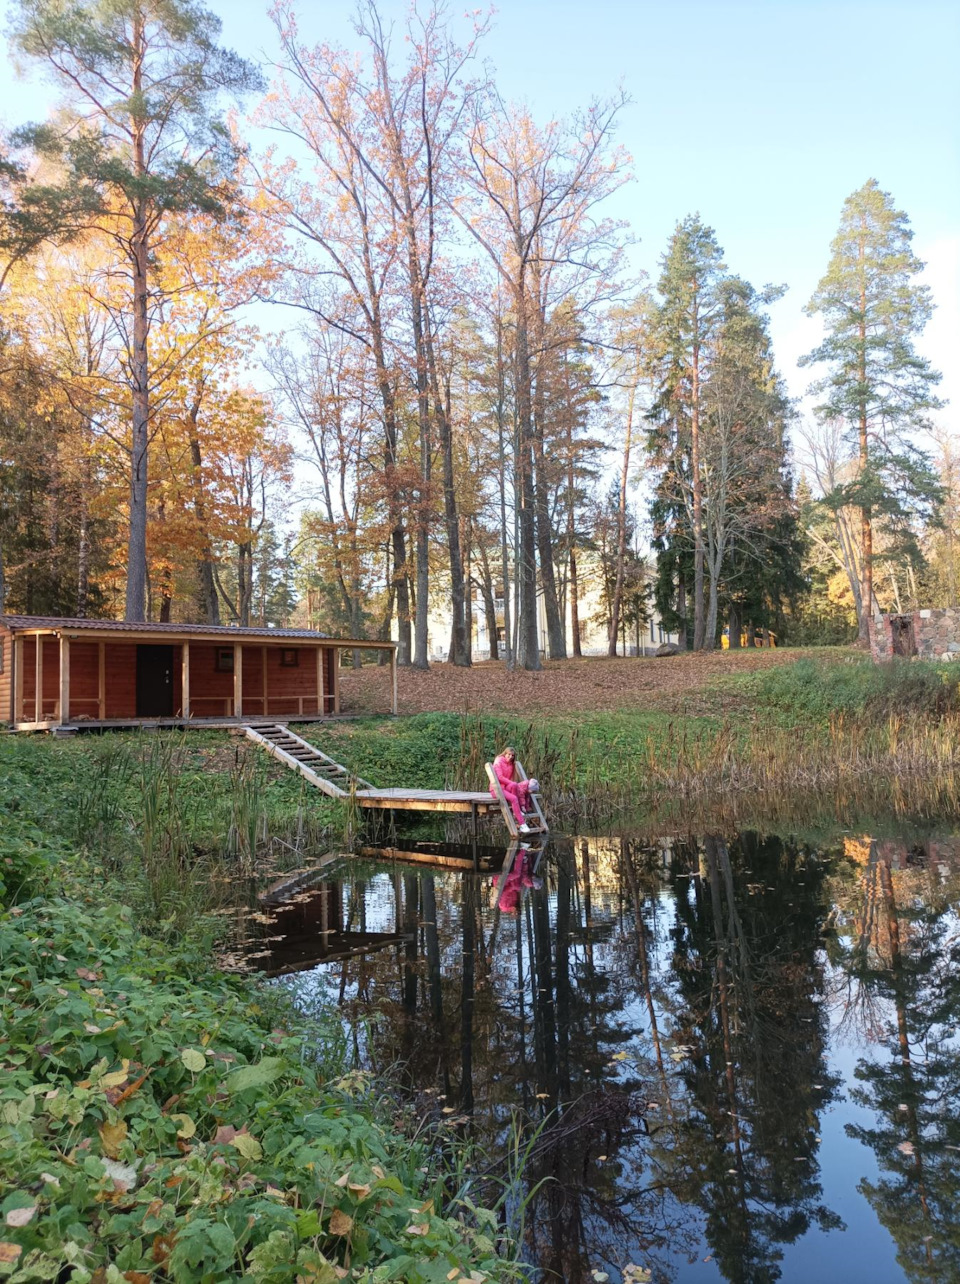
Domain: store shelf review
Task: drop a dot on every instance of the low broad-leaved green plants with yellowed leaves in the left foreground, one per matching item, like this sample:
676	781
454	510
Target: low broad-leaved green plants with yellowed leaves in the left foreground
162	1122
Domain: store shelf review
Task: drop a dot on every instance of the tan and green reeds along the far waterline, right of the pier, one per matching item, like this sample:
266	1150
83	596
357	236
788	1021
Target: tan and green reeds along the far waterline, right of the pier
911	766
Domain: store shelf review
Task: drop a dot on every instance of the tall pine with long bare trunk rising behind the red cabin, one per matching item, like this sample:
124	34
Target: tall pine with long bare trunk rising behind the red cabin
142	80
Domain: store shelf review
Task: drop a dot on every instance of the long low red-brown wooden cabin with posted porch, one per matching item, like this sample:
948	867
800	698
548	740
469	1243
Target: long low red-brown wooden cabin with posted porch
64	673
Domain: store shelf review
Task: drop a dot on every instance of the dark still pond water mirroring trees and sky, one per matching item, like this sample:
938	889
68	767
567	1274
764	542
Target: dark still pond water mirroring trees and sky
744	1052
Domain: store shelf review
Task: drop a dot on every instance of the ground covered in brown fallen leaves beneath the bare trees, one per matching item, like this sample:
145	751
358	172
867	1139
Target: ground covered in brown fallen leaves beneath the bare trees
676	685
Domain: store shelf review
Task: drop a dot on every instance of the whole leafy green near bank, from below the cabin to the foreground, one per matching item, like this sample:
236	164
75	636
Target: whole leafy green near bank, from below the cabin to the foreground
161	1120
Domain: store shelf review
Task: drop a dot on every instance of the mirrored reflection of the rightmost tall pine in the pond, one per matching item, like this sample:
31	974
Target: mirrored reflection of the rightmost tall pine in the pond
902	959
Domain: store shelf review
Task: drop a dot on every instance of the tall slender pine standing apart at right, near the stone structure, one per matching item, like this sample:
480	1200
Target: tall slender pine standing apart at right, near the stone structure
877	385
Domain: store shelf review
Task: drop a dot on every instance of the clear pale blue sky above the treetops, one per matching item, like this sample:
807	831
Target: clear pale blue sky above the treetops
760	115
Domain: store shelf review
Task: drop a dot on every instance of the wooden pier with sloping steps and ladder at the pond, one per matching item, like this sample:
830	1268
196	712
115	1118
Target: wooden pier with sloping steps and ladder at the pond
334	780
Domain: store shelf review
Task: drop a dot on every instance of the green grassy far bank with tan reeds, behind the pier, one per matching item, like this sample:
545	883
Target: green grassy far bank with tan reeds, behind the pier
763	745
